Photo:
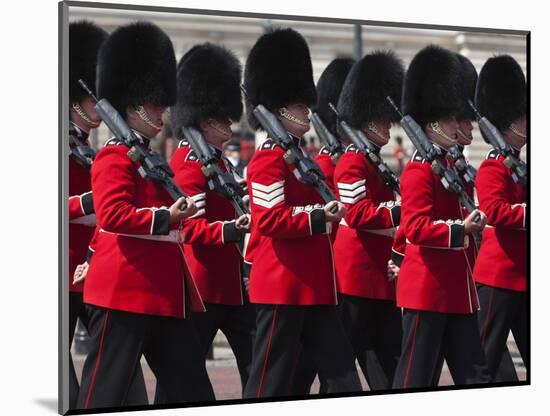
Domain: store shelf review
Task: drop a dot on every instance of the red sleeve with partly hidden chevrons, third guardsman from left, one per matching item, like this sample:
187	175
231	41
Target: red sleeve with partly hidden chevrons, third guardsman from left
197	229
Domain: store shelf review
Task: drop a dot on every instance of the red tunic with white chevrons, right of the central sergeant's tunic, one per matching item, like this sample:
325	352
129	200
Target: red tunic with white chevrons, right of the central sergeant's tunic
364	241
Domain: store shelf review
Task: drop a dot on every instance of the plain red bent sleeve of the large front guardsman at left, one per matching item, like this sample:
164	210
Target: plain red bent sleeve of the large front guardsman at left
114	187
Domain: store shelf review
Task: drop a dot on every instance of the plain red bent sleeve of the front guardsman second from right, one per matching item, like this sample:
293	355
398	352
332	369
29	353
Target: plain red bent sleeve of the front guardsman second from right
418	220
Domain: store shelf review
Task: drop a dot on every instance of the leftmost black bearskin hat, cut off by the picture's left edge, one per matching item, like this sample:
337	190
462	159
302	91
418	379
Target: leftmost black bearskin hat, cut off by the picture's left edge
85	39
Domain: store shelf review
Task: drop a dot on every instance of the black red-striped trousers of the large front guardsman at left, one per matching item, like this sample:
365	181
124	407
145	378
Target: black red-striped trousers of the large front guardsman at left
118	339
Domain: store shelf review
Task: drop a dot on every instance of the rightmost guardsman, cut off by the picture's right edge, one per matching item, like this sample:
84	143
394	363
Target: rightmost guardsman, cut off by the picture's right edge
501	267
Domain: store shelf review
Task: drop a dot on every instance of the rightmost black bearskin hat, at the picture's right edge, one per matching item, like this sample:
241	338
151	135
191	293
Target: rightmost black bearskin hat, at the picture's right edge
501	92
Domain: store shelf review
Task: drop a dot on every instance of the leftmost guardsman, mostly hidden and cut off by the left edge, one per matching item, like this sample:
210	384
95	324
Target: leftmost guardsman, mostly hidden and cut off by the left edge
85	39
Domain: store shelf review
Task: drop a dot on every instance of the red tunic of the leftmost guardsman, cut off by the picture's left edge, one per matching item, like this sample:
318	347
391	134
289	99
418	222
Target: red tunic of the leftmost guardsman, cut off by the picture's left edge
81	218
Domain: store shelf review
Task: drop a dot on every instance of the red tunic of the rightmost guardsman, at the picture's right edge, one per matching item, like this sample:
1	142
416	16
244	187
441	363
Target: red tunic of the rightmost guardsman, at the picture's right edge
502	259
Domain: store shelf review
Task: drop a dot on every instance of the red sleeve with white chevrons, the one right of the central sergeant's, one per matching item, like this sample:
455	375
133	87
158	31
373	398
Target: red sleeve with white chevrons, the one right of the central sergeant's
352	180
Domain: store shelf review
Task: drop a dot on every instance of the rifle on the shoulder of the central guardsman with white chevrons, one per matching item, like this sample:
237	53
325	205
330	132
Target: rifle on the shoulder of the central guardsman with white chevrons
309	170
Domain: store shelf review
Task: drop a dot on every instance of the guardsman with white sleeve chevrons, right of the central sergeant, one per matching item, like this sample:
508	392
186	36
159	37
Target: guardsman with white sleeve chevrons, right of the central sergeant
365	237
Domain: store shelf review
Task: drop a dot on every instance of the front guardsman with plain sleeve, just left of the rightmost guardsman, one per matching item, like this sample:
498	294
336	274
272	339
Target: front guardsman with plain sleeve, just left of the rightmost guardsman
435	287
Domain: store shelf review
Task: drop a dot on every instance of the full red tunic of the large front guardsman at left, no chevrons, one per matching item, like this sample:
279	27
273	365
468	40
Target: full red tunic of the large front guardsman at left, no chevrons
127	272
